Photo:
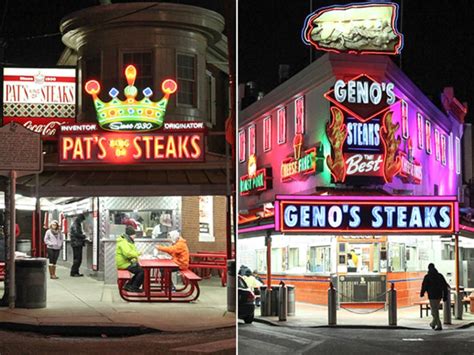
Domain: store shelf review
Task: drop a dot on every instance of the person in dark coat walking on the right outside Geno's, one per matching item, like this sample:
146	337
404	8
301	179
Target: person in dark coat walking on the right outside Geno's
435	284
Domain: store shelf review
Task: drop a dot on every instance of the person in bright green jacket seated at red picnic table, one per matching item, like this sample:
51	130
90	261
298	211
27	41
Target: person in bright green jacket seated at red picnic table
126	258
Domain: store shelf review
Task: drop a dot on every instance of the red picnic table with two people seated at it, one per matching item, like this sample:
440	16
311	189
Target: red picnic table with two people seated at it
157	285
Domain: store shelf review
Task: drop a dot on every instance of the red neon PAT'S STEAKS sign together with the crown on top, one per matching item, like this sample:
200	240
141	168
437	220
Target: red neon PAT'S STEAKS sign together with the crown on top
132	131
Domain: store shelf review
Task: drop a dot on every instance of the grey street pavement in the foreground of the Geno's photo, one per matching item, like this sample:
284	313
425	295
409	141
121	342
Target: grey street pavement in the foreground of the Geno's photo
258	338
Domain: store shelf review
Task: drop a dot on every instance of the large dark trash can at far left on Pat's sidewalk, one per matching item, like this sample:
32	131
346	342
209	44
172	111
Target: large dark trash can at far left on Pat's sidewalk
30	279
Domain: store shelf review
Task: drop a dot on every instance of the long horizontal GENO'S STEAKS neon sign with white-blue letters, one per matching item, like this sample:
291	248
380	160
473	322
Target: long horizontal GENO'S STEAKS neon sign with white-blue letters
366	214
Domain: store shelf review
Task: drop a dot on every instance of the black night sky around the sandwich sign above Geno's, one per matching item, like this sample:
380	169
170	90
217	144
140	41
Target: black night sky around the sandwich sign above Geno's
438	50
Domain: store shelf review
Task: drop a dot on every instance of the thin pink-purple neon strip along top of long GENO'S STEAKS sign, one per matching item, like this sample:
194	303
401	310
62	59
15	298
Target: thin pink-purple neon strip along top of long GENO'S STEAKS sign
365	198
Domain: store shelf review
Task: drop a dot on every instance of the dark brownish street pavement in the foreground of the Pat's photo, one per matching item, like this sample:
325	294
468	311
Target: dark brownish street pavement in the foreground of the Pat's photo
216	341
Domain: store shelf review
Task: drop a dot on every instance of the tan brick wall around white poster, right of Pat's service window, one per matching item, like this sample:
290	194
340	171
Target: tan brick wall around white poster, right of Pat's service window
190	224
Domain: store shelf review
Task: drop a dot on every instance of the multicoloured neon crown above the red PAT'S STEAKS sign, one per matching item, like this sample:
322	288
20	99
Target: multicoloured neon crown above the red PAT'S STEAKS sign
131	115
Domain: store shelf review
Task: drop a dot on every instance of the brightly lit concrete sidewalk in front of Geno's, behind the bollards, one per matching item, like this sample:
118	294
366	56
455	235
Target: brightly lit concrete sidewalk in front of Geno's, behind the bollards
309	315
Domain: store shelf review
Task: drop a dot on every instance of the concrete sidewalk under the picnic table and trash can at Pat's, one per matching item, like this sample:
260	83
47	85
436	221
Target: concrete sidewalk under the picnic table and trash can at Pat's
88	302
